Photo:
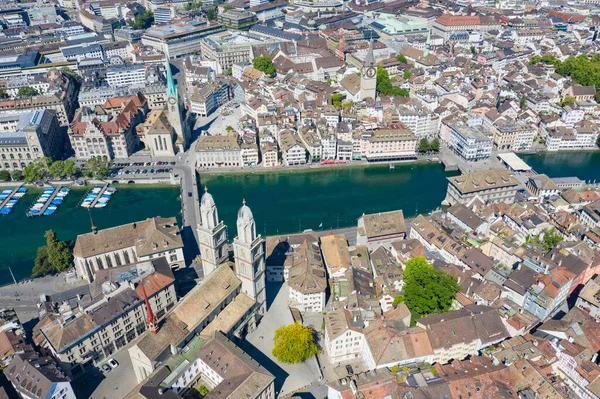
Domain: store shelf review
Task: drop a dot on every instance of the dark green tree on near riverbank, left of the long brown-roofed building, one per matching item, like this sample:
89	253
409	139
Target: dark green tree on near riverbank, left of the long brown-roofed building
55	256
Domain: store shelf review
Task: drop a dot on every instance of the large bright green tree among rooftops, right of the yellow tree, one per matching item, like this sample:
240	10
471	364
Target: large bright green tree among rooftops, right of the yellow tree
427	290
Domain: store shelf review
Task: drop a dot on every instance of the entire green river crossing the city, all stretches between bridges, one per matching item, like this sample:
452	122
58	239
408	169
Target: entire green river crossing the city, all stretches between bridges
282	202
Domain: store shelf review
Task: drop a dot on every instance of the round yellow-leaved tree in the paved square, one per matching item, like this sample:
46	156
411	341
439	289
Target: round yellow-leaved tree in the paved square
294	343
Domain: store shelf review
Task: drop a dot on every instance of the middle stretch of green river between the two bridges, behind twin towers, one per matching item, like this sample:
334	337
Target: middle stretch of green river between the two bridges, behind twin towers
292	201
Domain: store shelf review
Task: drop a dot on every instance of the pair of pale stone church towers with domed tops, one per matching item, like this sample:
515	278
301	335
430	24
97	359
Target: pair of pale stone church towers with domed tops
249	249
